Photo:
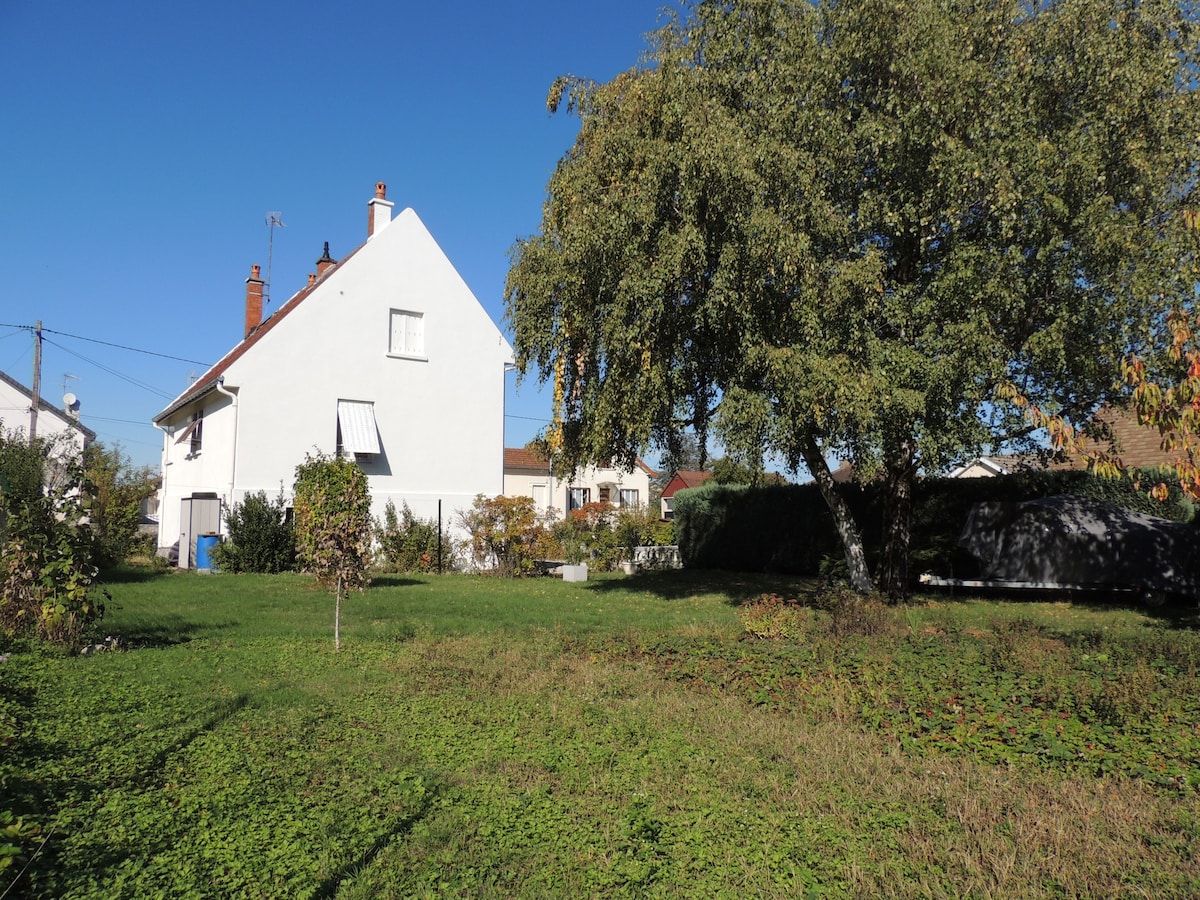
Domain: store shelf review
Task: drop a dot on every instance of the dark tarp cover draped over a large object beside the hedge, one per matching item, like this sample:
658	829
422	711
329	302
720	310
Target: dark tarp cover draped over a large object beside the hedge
1078	541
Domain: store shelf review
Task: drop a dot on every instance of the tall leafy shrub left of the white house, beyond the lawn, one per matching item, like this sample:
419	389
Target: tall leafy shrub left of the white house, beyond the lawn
115	490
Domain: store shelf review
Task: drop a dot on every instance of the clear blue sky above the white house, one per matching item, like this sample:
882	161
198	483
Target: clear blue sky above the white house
146	142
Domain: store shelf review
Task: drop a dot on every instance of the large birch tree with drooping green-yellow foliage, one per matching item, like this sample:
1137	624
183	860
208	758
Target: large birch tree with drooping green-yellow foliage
863	227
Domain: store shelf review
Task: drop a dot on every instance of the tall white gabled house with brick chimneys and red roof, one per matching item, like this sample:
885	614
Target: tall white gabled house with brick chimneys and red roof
386	357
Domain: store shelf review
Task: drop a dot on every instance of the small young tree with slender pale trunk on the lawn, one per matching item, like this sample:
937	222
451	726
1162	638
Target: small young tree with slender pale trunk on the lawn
333	527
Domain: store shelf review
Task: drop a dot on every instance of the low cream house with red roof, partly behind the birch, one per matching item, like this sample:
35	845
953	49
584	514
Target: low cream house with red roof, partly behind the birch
527	475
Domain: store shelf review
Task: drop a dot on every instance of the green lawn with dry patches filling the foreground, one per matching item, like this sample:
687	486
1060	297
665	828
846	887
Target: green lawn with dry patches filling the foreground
627	737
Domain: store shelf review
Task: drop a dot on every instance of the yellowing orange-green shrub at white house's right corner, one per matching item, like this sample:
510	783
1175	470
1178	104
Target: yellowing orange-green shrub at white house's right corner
506	535
